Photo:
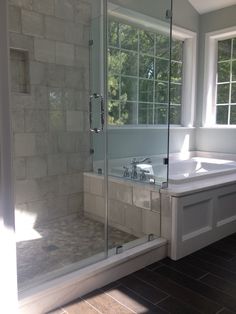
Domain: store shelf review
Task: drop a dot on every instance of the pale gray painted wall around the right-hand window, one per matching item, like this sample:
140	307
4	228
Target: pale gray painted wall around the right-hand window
216	140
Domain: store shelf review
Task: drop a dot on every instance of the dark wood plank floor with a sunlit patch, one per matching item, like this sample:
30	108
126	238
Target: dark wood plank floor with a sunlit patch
203	282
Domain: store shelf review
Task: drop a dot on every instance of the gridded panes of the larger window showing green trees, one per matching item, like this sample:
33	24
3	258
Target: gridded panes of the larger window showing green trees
138	68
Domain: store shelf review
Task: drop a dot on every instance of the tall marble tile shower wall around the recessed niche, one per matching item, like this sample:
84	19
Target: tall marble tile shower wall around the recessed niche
50	122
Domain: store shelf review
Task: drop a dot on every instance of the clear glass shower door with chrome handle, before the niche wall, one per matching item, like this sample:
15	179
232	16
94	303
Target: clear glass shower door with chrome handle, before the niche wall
55	212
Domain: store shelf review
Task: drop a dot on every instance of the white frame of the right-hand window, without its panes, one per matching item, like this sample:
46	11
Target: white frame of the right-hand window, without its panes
210	71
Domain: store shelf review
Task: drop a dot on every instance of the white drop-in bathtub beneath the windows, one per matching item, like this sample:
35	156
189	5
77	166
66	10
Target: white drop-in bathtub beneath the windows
180	171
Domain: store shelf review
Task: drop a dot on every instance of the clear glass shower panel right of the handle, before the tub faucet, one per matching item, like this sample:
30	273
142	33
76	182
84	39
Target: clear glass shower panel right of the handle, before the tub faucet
138	111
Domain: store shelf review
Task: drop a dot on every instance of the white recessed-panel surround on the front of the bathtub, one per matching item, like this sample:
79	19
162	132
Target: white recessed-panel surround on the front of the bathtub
192	220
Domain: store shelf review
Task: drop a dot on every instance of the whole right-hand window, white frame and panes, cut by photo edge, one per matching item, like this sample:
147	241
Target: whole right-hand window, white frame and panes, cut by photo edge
219	95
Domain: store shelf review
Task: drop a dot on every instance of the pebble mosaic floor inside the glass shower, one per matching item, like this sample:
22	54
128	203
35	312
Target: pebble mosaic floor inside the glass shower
63	242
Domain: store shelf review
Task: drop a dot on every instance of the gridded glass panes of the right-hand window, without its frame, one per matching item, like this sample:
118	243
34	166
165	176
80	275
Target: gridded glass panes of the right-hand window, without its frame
226	82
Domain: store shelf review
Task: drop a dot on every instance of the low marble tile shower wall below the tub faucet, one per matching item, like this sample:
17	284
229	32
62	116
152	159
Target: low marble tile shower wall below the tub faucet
132	207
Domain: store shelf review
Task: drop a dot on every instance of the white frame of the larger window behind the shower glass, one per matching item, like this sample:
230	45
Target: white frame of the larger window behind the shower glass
189	57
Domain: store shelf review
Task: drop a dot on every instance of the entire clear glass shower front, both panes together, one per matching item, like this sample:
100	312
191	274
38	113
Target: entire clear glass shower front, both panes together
89	110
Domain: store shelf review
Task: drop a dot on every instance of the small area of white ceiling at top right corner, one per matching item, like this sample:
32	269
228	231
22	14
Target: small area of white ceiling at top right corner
204	6
